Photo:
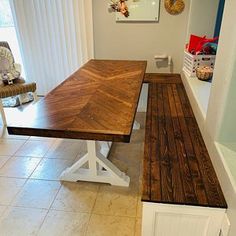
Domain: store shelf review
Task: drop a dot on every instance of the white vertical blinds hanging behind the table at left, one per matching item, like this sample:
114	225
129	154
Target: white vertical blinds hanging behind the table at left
55	37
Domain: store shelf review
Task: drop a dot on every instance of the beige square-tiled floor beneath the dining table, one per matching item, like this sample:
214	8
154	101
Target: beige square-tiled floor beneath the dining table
34	202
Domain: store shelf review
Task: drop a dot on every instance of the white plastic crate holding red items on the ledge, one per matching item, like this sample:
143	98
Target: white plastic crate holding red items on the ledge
191	62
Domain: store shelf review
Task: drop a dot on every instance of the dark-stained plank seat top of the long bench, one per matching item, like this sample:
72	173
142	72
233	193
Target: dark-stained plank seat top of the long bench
178	168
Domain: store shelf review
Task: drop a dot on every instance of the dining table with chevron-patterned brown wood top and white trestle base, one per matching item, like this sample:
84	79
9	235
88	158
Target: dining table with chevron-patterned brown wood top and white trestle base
97	103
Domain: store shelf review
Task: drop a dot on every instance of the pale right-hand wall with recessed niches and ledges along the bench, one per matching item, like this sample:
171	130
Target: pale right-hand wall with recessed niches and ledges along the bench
214	104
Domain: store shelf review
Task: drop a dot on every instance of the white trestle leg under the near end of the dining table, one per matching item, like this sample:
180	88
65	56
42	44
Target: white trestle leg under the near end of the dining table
100	169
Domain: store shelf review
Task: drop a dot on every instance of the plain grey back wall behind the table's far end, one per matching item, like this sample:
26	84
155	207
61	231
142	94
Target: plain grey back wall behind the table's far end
140	40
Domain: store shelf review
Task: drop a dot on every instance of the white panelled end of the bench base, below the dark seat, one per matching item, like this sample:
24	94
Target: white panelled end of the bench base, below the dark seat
181	220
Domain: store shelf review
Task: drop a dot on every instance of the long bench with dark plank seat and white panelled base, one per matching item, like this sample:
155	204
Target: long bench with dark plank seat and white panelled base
181	193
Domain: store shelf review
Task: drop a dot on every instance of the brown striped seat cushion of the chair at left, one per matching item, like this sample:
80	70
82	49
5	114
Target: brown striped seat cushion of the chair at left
16	89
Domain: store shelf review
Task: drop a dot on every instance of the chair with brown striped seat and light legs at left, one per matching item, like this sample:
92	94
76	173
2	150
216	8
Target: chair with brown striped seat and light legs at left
19	87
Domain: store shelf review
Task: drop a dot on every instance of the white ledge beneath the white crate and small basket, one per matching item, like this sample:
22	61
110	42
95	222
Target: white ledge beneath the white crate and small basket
200	90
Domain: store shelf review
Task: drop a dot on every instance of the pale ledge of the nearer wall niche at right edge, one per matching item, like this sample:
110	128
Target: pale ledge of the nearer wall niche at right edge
228	154
